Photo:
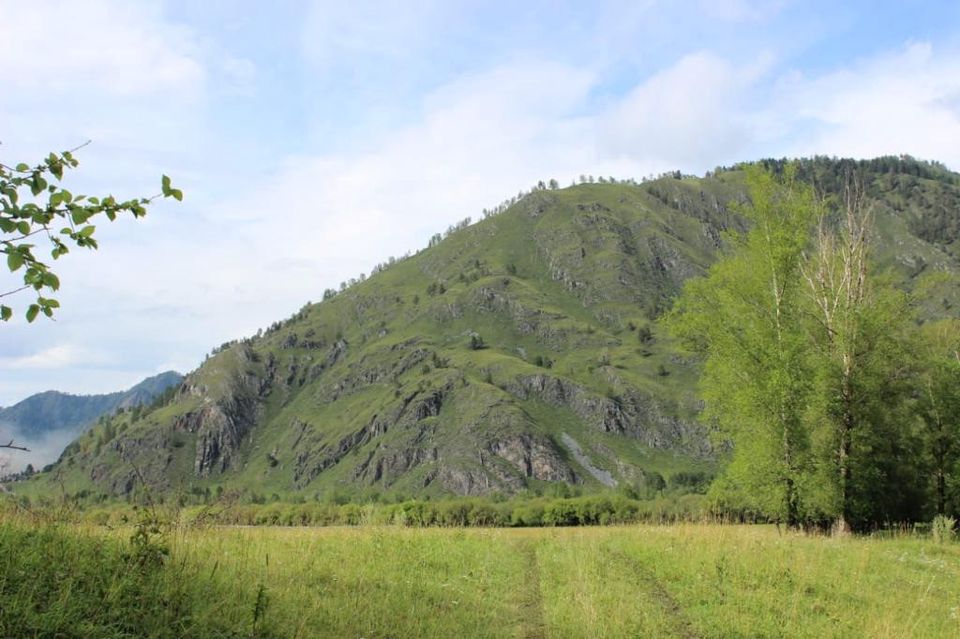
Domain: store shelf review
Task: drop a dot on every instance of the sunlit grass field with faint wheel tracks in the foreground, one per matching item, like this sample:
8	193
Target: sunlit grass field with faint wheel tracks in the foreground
633	581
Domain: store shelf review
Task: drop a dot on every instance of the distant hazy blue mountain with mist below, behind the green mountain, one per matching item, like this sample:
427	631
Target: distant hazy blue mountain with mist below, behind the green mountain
47	421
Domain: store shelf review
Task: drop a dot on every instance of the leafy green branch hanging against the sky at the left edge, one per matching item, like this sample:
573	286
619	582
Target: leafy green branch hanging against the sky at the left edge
34	206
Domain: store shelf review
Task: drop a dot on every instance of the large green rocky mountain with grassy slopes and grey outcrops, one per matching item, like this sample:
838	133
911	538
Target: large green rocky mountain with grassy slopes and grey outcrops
511	353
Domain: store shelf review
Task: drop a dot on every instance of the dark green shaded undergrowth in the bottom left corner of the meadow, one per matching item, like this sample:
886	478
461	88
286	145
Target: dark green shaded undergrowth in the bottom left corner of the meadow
57	581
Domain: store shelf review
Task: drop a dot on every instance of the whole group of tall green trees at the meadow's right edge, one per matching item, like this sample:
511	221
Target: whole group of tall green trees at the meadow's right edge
840	406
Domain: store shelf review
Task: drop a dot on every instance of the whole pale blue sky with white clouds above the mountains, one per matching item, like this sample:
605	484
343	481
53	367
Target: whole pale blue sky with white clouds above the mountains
313	140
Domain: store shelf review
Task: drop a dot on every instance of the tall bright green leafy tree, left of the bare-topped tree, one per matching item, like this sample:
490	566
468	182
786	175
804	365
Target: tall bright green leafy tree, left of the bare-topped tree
745	317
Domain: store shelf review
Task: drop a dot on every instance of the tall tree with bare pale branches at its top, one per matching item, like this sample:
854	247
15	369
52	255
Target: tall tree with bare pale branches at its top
859	323
